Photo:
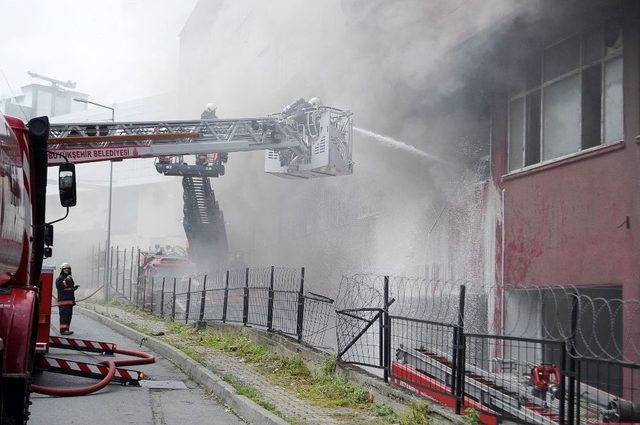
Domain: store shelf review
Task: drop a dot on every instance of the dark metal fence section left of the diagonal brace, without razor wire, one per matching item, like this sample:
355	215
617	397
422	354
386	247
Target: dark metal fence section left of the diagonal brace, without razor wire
273	298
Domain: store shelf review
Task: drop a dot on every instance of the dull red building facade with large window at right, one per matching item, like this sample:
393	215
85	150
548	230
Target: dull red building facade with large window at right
565	162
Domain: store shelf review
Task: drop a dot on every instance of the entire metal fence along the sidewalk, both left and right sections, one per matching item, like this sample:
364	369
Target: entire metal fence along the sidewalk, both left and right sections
540	355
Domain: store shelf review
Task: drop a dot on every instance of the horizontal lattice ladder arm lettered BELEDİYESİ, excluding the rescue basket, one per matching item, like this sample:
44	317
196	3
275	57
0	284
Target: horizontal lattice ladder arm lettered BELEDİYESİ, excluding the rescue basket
100	141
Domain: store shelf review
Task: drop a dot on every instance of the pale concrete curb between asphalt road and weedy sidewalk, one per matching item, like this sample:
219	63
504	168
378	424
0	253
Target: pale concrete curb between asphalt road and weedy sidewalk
243	406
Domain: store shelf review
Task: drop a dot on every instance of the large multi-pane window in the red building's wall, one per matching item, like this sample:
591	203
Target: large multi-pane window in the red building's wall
570	98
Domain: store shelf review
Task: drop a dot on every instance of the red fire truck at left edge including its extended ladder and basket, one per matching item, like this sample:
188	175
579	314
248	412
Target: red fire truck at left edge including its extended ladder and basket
317	142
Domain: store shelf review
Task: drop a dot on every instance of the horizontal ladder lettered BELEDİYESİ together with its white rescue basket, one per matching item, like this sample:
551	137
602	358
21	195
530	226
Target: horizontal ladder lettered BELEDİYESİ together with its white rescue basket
320	145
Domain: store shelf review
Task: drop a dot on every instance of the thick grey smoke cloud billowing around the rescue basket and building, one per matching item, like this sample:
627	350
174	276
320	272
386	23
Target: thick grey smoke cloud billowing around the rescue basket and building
407	72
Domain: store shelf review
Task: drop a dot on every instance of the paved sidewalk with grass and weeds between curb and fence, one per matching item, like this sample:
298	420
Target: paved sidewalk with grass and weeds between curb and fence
243	366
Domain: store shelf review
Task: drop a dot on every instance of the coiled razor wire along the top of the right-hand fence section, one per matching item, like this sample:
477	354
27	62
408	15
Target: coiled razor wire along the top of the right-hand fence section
604	327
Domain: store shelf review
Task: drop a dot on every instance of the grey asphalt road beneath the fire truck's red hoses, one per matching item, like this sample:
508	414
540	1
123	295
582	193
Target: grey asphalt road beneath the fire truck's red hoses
116	404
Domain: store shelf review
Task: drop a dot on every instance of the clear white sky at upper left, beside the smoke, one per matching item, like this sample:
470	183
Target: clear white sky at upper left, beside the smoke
135	41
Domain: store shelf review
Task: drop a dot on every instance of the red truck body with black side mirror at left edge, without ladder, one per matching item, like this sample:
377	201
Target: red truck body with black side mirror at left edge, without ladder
23	237
